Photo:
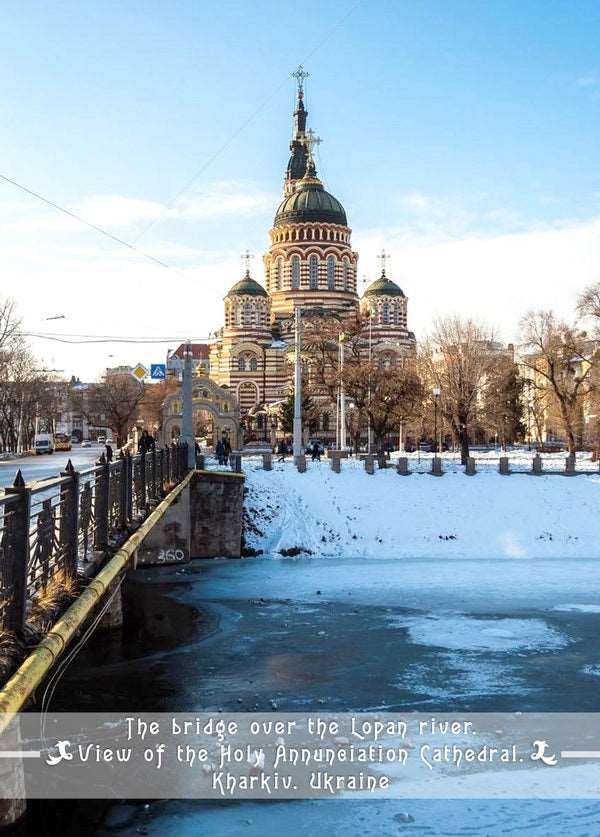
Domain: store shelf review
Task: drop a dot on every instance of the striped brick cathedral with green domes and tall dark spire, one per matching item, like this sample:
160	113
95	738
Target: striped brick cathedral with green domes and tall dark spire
309	263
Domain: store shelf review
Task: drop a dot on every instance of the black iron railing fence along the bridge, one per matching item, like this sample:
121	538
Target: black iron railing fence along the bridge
49	528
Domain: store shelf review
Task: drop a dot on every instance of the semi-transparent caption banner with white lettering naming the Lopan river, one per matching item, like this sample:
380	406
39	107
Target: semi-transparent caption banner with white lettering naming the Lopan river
300	756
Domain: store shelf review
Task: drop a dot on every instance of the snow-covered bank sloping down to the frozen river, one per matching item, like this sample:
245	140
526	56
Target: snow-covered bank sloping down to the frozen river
353	514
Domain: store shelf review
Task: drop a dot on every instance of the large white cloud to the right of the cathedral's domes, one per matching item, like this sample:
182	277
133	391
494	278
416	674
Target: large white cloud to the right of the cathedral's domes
494	277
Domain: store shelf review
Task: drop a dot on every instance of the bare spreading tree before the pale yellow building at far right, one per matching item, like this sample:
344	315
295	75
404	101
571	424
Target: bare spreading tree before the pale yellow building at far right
560	358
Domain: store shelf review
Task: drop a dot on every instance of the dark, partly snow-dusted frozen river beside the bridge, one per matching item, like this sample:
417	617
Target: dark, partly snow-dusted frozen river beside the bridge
334	634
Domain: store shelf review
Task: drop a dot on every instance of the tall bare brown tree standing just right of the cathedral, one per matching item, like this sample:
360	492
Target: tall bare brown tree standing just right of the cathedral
459	358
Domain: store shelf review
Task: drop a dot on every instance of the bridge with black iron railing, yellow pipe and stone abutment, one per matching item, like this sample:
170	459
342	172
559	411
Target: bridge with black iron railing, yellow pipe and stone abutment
66	544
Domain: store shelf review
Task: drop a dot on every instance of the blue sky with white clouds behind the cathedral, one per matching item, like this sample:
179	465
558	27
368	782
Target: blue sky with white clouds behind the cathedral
462	136
